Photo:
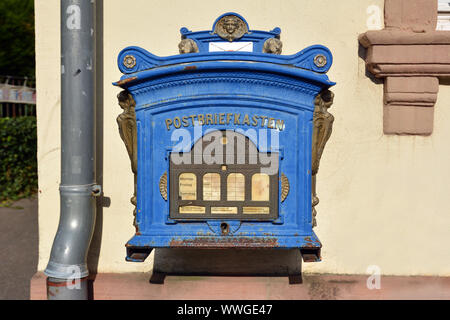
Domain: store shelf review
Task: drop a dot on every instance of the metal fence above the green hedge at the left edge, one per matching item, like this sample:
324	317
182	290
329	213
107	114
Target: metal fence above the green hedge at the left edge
17	96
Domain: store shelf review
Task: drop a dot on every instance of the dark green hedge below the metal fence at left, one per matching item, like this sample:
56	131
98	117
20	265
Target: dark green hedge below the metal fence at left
18	164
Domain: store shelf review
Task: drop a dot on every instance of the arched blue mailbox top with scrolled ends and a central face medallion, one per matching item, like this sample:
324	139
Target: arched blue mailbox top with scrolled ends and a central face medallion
230	40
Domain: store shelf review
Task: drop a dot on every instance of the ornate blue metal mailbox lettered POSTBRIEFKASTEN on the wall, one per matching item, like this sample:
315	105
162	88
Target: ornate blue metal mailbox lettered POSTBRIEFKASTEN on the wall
225	140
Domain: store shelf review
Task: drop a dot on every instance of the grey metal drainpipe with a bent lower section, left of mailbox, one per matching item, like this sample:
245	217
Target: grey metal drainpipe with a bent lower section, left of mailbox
67	269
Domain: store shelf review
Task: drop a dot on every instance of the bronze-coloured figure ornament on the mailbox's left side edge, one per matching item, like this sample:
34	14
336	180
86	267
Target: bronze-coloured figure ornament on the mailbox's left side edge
128	132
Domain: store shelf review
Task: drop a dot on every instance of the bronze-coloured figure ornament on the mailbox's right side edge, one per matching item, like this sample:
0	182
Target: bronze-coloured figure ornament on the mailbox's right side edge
323	125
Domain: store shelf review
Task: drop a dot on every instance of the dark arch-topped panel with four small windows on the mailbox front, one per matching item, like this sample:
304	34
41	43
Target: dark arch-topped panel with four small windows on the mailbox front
214	187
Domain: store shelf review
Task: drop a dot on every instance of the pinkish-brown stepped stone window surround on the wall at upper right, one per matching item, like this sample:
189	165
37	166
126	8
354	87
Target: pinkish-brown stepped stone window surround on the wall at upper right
410	56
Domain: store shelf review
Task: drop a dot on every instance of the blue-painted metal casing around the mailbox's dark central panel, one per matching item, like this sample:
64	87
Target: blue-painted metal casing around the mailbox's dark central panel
277	86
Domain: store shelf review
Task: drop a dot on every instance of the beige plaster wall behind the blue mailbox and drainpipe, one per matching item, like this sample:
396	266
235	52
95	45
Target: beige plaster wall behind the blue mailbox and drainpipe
384	199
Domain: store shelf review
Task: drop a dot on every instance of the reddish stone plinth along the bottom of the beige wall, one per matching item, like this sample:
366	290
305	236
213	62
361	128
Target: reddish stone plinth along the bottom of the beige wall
135	286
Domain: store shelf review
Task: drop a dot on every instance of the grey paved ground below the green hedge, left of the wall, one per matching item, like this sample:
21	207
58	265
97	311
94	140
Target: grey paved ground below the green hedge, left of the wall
18	249
